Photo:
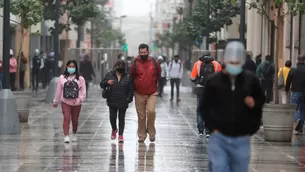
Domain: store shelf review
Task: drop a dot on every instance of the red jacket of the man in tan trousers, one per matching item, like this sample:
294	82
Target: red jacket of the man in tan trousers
146	76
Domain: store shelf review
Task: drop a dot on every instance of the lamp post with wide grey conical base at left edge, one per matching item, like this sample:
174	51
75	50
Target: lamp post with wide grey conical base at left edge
9	120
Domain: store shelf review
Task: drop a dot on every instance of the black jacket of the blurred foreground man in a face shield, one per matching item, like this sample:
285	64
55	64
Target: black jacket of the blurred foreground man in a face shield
225	110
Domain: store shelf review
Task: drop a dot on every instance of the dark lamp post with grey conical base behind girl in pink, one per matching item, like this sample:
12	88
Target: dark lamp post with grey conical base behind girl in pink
53	83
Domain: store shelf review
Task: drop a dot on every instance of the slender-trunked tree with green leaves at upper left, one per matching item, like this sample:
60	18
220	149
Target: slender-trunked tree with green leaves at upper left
30	13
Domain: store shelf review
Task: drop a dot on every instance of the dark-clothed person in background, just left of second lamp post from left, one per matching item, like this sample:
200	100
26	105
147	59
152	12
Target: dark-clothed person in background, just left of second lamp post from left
37	64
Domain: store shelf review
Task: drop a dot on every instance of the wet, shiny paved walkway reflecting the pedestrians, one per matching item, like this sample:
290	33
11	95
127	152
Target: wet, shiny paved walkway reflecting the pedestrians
40	147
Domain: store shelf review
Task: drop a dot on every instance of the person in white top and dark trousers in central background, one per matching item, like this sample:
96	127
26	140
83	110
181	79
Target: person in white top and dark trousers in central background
175	72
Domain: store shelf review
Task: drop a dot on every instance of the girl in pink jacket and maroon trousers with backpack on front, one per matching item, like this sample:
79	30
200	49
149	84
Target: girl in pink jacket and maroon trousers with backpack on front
71	91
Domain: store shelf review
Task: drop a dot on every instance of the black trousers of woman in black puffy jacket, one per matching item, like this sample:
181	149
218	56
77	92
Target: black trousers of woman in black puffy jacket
113	116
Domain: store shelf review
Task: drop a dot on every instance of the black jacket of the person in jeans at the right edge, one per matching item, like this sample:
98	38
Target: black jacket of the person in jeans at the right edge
296	77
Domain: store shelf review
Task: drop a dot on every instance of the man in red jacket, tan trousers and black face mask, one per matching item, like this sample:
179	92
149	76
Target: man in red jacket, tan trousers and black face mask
146	73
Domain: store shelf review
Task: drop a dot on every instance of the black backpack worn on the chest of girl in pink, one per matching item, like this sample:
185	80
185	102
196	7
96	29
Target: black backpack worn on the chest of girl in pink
71	89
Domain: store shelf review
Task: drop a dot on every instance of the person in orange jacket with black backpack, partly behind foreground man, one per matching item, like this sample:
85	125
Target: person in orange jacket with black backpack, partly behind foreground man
202	69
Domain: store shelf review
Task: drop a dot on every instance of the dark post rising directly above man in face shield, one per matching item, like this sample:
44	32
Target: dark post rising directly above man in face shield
242	26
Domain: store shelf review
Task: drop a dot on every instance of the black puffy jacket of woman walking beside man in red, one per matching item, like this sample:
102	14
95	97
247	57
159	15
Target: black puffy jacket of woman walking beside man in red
121	92
